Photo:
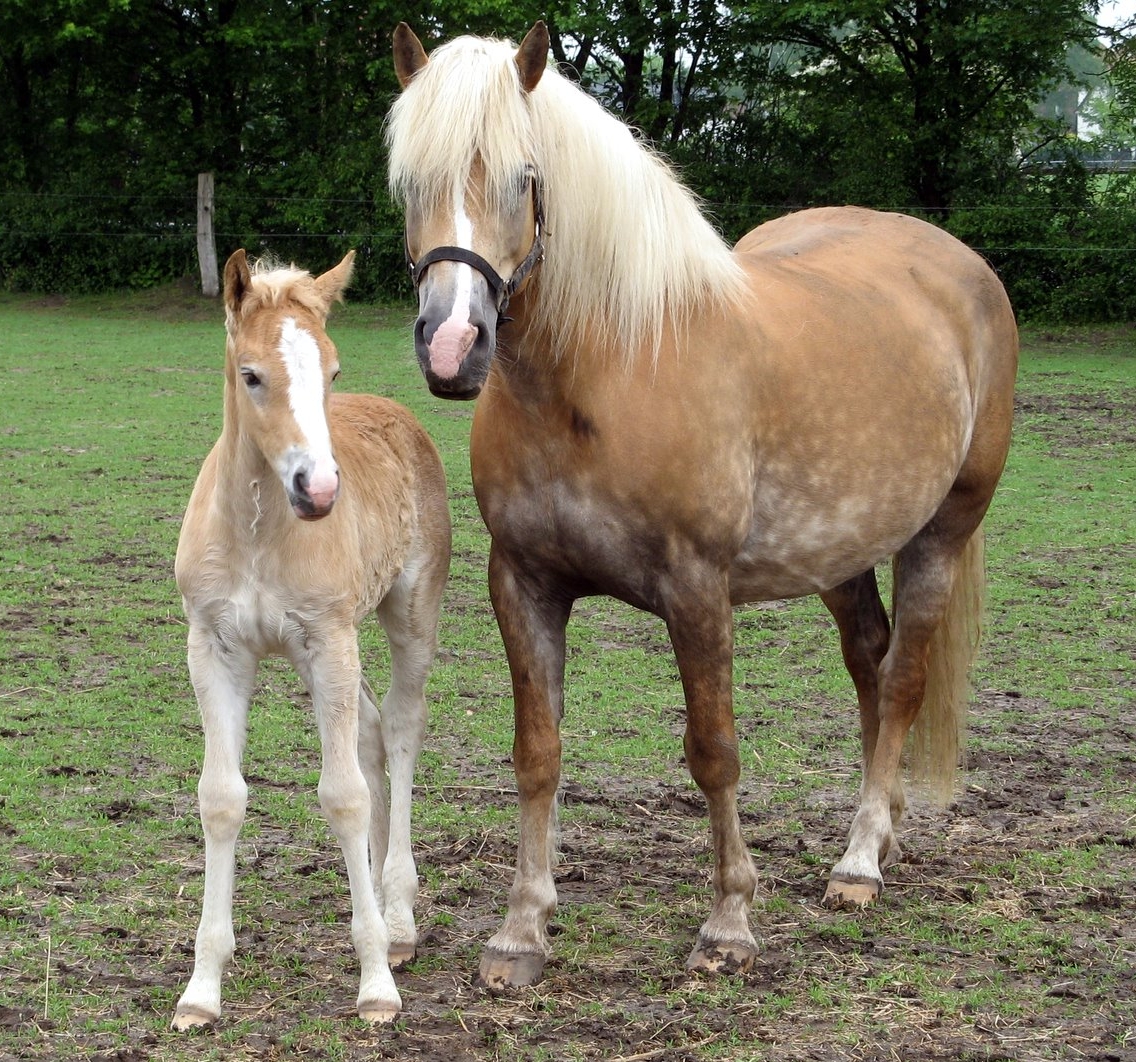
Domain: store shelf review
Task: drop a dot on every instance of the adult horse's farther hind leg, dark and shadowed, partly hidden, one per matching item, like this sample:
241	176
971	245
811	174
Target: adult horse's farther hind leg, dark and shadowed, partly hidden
865	634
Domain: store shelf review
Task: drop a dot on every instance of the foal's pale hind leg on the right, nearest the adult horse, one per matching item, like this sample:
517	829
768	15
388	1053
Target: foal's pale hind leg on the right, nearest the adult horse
410	616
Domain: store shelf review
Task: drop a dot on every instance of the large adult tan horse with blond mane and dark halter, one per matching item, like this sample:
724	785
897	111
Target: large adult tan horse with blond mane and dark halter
688	427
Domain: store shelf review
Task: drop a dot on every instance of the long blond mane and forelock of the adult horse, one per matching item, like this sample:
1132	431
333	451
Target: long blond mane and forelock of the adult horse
628	249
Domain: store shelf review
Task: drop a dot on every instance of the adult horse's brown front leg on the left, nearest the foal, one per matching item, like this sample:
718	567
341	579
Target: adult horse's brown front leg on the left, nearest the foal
533	623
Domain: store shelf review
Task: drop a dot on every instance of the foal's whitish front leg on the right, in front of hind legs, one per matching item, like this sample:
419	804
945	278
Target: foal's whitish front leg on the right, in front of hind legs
332	674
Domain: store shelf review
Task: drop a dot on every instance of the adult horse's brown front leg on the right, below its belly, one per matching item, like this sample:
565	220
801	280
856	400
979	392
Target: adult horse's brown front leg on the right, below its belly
701	631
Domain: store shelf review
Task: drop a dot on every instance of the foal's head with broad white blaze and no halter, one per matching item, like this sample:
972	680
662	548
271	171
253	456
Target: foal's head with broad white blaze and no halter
280	365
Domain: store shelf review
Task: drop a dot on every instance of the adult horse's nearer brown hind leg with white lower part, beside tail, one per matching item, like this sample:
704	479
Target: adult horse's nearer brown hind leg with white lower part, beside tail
937	591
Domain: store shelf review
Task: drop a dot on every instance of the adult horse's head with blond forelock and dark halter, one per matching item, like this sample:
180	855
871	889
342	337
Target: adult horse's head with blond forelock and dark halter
471	190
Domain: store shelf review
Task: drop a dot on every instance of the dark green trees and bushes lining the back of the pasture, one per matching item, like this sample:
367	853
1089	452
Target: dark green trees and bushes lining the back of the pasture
111	108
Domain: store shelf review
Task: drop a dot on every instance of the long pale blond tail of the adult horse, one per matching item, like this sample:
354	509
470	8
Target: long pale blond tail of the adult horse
938	737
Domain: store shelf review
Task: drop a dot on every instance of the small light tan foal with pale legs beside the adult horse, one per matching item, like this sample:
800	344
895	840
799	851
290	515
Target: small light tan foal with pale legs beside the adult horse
310	513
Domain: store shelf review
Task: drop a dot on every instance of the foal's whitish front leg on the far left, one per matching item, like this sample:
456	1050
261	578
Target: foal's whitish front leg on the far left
223	681
